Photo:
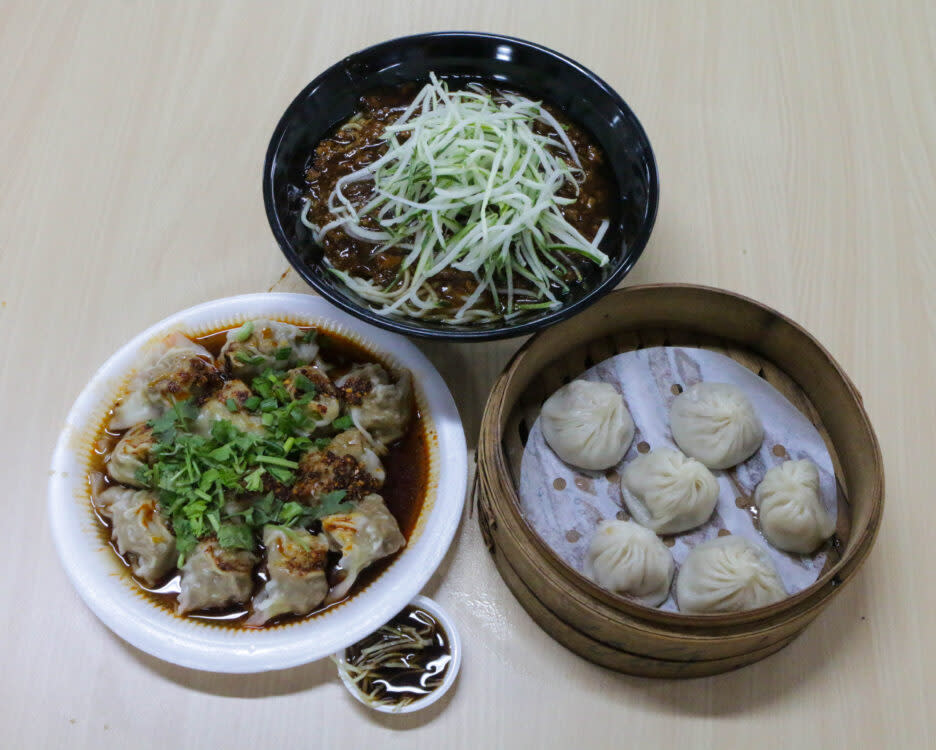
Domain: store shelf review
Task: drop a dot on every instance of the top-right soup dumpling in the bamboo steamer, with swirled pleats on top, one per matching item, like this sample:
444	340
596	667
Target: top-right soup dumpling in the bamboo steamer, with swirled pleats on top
716	423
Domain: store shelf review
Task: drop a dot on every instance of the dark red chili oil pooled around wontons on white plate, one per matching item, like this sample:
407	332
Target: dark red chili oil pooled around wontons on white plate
404	490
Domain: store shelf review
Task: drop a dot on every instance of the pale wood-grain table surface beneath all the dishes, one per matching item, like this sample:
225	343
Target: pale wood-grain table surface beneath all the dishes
797	152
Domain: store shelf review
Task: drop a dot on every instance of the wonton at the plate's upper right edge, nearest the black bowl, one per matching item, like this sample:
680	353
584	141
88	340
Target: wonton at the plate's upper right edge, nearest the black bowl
379	407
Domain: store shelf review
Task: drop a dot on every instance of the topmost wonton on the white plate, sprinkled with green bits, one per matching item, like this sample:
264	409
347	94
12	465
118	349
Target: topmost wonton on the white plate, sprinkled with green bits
266	338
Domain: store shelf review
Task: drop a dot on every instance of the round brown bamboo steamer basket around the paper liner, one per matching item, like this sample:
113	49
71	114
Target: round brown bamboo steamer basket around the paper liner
614	631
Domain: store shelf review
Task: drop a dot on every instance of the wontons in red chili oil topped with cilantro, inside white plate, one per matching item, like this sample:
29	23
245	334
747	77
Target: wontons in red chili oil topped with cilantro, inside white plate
240	469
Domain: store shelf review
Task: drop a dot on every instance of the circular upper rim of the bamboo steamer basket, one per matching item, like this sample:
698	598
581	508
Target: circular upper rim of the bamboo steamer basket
494	477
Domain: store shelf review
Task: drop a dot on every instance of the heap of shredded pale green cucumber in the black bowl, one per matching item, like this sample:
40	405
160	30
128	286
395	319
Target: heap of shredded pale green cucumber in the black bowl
467	183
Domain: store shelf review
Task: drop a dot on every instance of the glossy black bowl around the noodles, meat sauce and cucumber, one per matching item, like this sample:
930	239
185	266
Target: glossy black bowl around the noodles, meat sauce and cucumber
463	56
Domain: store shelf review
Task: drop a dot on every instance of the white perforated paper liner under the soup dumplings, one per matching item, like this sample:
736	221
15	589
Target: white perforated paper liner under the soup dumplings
564	504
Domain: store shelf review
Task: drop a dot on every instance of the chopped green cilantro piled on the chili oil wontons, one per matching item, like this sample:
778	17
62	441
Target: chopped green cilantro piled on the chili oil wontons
197	476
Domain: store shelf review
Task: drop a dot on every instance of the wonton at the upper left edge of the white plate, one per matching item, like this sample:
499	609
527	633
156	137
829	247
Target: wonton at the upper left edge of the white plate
176	369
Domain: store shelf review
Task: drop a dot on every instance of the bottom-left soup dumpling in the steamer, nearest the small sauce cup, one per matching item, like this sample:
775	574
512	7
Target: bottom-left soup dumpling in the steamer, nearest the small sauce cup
627	558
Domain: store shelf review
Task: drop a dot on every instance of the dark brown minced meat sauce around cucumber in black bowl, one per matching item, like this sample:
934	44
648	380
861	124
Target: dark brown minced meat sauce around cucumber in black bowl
351	148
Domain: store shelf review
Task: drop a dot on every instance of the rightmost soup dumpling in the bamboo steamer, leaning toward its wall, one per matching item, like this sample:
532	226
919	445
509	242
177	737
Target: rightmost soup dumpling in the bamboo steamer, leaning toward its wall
790	507
